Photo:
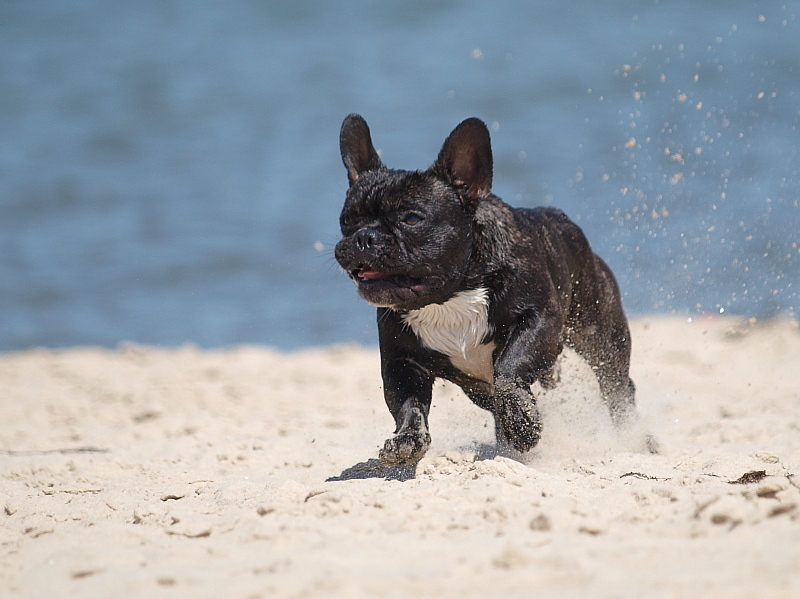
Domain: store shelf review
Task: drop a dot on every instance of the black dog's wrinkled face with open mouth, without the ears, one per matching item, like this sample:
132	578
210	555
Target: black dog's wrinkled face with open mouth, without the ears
407	239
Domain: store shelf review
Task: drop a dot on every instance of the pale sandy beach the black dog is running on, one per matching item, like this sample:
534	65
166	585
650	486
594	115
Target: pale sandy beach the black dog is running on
245	472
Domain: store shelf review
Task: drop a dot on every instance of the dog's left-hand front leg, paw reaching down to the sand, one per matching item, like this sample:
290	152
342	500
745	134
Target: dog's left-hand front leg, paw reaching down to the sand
407	388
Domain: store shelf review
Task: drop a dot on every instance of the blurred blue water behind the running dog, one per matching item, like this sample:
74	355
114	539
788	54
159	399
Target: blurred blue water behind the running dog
169	171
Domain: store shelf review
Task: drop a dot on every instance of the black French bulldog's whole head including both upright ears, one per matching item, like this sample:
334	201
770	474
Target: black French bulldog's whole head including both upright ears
407	235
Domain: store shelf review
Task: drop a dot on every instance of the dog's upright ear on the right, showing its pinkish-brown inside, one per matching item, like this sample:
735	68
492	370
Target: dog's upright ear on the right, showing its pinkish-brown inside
465	160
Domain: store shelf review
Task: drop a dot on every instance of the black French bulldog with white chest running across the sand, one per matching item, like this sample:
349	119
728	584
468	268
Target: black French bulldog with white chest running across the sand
472	290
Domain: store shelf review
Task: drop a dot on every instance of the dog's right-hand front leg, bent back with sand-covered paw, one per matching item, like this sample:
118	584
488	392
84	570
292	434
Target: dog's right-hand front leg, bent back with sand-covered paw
529	354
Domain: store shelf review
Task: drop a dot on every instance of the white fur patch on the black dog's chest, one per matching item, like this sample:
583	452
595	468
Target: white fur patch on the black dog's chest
457	329
